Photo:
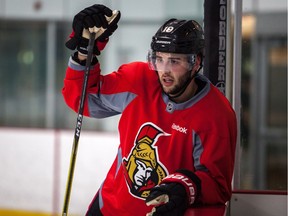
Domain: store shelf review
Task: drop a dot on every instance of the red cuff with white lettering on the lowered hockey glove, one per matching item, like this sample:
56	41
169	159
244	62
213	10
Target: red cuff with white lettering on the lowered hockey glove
189	180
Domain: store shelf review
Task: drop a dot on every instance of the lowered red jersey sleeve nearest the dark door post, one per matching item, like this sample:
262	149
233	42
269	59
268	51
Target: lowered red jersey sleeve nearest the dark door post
216	162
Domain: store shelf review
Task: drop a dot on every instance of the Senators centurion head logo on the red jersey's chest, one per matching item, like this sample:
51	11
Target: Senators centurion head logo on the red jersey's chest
143	170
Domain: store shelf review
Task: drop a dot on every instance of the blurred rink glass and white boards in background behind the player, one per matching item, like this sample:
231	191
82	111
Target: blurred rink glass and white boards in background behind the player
37	128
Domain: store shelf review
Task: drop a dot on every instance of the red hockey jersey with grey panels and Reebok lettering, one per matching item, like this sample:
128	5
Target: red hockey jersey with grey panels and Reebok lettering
157	136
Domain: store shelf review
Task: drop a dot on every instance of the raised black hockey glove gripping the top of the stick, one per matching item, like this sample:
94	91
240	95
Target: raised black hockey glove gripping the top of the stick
95	18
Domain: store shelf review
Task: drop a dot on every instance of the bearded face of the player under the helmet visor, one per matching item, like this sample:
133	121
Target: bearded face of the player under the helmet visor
172	71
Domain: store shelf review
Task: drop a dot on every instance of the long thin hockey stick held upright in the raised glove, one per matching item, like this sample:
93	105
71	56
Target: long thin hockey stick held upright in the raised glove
93	34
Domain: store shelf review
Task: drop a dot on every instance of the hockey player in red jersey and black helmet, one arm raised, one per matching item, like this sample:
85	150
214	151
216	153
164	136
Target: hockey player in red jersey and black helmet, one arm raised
177	131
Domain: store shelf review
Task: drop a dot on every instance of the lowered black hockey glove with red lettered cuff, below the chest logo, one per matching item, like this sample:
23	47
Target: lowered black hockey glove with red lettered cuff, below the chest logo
174	194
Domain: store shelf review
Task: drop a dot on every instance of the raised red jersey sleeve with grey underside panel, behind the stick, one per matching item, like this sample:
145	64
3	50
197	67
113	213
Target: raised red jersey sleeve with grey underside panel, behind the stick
107	95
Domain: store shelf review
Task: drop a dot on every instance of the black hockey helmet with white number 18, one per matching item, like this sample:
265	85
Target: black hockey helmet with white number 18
179	36
